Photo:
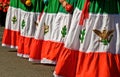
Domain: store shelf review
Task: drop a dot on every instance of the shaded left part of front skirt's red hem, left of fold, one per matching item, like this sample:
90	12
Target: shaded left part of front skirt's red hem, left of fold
67	62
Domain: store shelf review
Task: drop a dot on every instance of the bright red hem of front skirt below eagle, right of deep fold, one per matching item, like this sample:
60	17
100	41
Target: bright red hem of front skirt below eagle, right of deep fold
98	65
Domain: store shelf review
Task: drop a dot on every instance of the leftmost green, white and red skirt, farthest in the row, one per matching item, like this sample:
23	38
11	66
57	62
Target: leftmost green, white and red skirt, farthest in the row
11	31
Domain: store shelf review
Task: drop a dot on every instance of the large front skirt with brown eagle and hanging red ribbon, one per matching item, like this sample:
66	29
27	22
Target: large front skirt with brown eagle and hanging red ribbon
92	46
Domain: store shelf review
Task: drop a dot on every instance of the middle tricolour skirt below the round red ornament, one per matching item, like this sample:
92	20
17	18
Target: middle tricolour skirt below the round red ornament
48	43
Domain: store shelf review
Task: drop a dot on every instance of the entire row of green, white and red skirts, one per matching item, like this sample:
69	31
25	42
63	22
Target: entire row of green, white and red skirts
81	43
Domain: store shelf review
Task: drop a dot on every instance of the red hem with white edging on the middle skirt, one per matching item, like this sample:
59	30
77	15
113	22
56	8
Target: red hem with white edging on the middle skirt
45	51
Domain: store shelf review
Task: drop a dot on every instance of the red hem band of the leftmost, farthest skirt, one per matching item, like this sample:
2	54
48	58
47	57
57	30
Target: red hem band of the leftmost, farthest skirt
10	38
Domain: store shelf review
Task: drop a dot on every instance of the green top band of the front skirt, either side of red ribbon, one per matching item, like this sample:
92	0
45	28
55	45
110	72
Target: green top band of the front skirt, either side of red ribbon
102	6
